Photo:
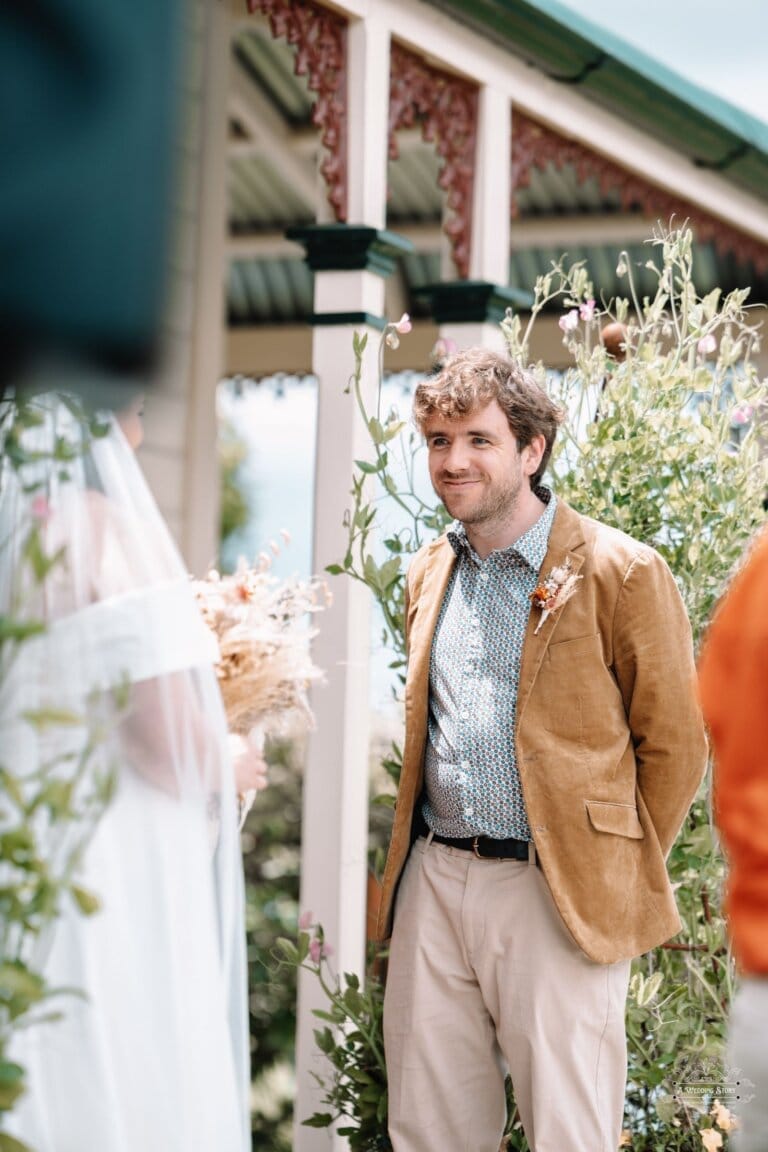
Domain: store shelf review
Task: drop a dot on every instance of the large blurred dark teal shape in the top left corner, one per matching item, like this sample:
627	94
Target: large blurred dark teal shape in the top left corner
89	96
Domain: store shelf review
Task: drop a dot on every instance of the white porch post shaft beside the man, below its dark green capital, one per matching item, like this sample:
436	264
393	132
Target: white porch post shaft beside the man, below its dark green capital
336	802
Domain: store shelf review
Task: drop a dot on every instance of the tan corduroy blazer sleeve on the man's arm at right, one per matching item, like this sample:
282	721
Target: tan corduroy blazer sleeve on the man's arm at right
653	662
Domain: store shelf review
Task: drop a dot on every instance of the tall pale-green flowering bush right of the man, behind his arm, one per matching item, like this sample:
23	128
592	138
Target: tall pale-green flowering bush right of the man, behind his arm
655	451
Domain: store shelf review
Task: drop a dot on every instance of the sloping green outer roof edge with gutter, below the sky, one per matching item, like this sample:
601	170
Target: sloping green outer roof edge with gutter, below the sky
574	51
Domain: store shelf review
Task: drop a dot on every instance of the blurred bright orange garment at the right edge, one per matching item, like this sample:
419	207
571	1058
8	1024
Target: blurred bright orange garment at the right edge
734	686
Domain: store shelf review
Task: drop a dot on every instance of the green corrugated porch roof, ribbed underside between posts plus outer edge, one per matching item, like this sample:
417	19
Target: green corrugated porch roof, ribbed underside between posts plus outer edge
561	44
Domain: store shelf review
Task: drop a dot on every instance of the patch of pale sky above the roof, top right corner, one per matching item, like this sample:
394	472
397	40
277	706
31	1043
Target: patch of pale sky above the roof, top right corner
721	46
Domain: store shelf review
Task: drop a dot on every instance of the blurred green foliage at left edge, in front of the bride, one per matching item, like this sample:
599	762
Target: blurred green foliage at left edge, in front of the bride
67	793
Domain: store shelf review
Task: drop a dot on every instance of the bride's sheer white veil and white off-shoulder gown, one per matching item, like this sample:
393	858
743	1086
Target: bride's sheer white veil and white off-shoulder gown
120	689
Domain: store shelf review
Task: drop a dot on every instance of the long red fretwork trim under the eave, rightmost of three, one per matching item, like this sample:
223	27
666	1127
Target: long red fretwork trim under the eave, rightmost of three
535	147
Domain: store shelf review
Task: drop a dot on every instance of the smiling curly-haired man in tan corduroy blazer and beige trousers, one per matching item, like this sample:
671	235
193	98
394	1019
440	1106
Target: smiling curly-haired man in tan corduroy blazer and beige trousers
553	747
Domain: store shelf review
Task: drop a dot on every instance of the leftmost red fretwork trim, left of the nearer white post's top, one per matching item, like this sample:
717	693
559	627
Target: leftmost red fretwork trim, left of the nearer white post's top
320	37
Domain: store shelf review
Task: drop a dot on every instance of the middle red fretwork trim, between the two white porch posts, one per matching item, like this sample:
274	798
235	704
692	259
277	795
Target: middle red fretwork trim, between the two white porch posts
446	108
